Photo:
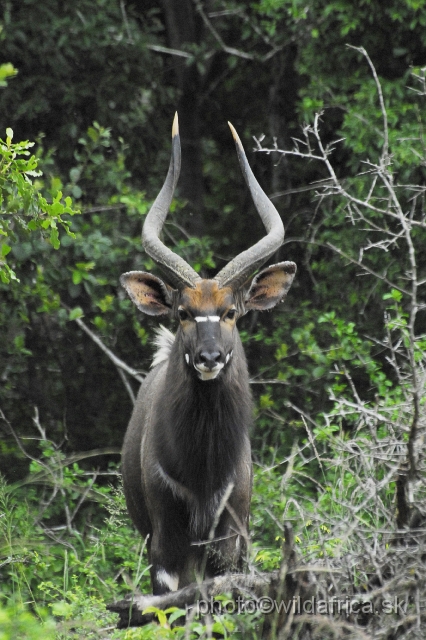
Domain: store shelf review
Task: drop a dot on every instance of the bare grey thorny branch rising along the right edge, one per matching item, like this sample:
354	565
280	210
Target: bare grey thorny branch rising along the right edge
388	215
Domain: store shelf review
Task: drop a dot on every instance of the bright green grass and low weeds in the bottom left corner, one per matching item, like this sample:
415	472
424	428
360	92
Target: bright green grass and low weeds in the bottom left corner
68	579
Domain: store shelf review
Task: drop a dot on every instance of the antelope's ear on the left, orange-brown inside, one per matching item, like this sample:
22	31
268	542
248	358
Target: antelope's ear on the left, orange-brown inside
150	294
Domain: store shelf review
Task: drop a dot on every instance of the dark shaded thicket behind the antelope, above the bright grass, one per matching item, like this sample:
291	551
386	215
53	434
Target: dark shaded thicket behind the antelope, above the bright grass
97	86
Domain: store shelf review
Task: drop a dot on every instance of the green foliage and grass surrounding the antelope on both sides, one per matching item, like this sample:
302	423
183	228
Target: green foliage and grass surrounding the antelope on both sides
337	371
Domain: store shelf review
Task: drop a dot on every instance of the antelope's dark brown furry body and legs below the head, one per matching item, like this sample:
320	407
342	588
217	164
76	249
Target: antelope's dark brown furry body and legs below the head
198	432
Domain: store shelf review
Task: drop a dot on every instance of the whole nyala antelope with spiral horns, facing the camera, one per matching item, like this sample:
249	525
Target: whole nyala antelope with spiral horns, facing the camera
187	469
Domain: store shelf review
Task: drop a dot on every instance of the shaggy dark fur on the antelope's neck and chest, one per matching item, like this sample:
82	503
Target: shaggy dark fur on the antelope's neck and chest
203	426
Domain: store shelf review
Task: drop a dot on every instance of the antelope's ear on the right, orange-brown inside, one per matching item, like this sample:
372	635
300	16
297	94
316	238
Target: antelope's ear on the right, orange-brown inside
270	286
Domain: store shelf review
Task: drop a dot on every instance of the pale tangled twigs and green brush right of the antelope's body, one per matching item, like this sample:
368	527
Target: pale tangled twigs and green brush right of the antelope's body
341	468
